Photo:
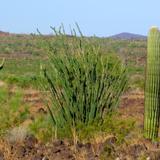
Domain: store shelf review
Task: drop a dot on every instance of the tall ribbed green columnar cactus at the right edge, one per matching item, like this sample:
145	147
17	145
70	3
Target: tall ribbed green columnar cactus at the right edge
152	85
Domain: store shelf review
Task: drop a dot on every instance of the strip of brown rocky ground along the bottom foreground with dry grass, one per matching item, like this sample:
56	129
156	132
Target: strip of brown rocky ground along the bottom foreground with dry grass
31	149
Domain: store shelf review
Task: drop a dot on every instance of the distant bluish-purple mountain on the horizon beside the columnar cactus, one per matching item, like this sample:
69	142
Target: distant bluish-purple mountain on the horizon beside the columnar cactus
128	36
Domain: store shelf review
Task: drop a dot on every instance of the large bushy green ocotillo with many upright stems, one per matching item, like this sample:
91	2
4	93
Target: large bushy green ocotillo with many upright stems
84	83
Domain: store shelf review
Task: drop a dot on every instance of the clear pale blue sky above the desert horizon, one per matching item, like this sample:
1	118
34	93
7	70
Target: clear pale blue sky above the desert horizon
99	17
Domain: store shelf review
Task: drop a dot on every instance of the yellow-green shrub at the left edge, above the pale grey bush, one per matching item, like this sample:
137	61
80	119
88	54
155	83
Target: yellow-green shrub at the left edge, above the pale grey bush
12	112
